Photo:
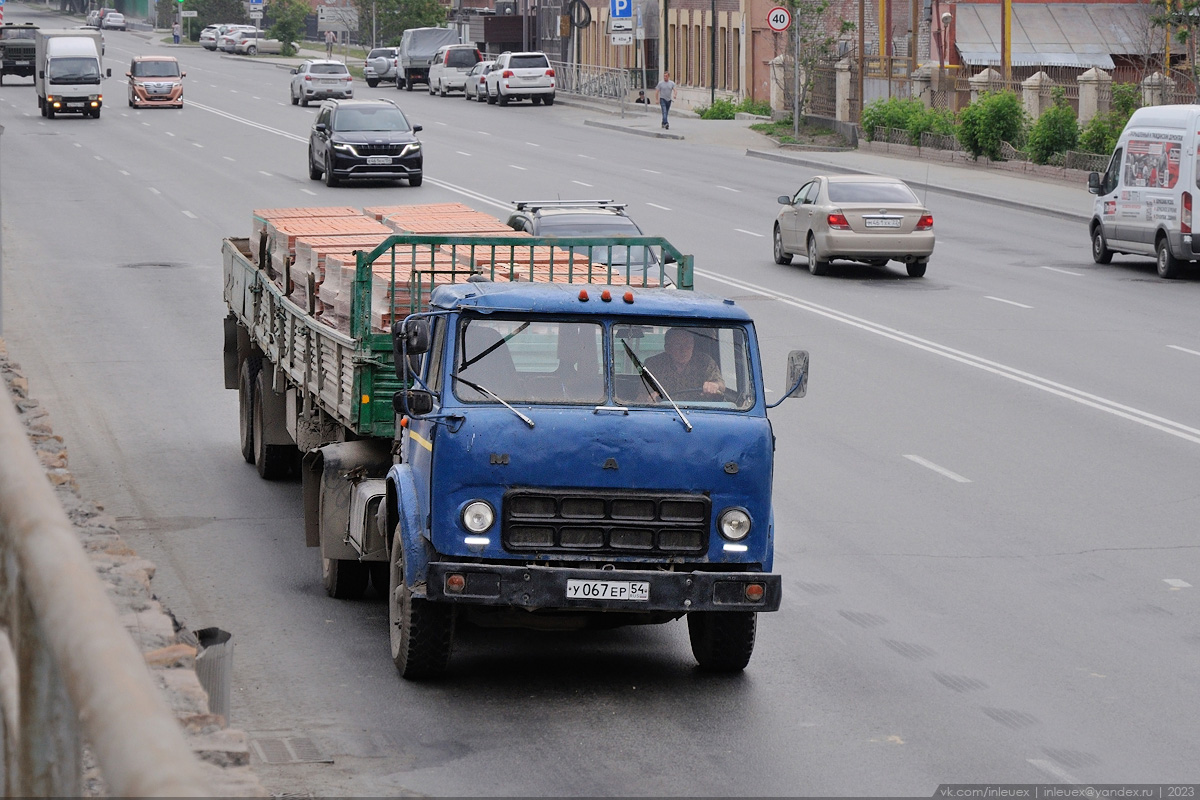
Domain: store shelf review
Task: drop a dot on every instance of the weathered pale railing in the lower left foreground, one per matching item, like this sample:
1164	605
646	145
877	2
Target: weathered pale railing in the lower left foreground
68	667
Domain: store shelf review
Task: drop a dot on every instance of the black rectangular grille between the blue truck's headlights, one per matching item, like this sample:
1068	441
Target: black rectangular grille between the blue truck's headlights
580	522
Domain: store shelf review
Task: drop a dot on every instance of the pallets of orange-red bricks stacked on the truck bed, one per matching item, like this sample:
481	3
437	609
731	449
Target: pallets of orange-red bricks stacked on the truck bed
313	255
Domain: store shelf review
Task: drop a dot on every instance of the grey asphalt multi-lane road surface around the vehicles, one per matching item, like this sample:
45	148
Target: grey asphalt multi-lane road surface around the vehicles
986	507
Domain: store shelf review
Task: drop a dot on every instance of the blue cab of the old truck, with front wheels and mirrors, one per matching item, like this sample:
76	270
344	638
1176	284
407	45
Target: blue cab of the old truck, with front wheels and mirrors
578	458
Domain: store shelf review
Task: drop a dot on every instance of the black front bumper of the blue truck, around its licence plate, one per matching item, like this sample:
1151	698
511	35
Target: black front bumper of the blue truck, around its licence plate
545	588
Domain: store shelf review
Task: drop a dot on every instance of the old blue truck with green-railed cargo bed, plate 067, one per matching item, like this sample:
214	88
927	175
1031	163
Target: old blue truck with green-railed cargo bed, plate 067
521	441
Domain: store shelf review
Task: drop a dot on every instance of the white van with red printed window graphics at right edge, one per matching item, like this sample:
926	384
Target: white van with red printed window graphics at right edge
1145	197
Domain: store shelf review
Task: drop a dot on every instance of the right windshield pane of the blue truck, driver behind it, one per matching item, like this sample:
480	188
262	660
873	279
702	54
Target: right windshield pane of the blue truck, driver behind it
697	366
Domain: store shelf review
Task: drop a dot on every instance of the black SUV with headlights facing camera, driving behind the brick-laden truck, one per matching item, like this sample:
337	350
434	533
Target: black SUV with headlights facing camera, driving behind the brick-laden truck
368	140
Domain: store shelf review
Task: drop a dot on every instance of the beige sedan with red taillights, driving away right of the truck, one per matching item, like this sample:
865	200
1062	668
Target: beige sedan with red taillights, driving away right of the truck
867	219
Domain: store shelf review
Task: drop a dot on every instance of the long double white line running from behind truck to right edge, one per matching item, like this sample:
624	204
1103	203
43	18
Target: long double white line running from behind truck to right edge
1129	413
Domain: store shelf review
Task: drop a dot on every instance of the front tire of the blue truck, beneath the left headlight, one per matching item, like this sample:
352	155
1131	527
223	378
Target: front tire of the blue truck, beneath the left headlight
422	633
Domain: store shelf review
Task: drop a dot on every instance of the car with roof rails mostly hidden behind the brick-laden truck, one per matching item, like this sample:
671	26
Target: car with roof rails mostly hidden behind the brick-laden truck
586	219
